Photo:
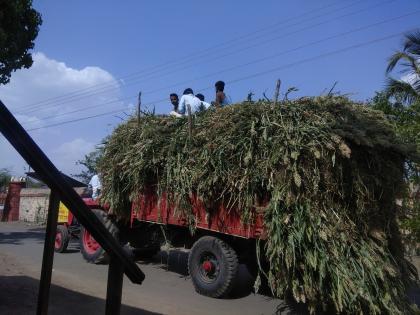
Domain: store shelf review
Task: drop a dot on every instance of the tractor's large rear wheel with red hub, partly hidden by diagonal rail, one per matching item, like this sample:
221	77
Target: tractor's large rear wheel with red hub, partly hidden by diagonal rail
91	250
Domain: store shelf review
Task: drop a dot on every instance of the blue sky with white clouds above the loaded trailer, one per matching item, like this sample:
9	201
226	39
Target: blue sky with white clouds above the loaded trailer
93	57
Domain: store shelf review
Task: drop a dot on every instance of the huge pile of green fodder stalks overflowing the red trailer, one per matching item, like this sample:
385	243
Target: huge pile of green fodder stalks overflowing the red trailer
330	168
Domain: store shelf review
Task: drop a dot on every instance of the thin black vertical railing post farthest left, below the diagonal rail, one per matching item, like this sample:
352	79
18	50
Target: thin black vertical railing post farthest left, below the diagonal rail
48	255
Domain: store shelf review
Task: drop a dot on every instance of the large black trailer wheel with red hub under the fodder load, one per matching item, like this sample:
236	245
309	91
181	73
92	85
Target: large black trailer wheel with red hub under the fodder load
213	266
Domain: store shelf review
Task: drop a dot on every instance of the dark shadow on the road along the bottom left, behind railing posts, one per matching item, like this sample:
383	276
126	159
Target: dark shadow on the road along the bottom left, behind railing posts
19	297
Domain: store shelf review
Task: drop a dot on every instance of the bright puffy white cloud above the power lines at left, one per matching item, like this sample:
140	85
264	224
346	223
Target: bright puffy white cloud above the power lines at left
50	87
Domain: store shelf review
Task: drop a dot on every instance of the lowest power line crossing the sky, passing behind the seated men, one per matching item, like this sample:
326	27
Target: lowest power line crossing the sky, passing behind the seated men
321	56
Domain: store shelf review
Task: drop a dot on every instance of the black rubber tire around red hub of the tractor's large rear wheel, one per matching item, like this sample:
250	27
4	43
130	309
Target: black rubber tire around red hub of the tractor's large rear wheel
99	256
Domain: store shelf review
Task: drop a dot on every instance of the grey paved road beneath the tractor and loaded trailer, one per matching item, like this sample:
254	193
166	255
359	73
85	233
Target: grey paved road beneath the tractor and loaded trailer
80	287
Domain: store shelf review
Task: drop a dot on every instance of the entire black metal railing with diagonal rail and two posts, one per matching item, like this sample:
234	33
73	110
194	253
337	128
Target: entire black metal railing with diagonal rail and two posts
120	261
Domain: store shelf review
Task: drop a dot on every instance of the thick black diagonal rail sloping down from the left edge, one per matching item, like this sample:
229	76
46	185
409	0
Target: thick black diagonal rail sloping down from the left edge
34	156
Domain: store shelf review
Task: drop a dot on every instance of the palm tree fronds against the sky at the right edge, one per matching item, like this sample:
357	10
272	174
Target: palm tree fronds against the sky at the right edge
406	91
